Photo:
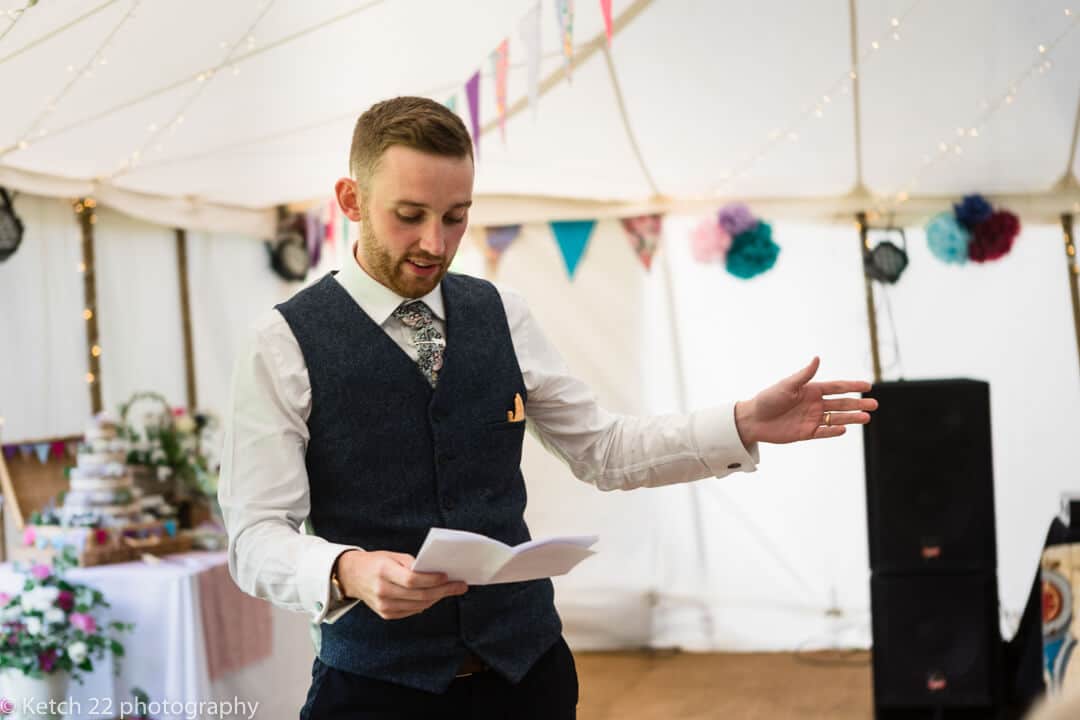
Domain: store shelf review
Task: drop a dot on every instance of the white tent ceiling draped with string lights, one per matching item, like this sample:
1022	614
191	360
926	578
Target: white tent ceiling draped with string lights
707	86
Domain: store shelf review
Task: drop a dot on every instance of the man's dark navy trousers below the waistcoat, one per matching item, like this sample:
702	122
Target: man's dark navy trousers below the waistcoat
549	691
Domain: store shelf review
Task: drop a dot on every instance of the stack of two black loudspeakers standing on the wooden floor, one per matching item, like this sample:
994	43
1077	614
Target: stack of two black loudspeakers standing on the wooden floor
938	650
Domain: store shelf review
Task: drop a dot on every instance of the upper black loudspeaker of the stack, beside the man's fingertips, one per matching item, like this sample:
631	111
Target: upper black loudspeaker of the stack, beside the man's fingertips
930	478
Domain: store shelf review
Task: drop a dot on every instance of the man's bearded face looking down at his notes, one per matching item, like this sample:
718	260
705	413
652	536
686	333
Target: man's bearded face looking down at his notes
414	215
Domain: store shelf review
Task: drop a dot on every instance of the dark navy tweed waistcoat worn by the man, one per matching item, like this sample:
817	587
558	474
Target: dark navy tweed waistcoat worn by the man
389	458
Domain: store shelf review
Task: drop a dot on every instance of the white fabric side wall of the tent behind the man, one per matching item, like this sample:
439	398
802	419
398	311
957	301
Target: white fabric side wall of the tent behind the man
751	562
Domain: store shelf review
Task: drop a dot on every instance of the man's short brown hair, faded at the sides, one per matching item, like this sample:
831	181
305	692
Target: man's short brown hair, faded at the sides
415	123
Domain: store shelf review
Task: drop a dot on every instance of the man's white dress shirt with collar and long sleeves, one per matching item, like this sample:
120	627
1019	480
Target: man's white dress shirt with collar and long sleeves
264	485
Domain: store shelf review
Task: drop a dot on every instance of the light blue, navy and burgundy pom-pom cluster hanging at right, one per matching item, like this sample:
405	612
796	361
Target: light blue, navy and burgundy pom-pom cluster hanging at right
973	232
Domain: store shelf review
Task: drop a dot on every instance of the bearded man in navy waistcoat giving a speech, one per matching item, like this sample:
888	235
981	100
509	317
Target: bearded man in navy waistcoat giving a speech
393	398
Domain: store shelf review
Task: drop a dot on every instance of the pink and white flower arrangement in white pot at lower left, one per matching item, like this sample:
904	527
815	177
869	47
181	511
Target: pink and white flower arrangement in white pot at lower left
52	631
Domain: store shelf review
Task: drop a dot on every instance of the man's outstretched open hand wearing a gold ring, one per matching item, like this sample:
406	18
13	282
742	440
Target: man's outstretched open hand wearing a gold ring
795	410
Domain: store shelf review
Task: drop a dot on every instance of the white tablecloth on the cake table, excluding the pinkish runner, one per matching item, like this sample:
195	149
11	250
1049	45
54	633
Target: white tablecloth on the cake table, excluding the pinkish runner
166	655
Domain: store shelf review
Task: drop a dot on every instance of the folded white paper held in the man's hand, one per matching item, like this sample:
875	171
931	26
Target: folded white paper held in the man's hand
481	561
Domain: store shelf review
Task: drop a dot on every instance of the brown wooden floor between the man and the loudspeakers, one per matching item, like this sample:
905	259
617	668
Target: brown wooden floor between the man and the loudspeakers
670	686
